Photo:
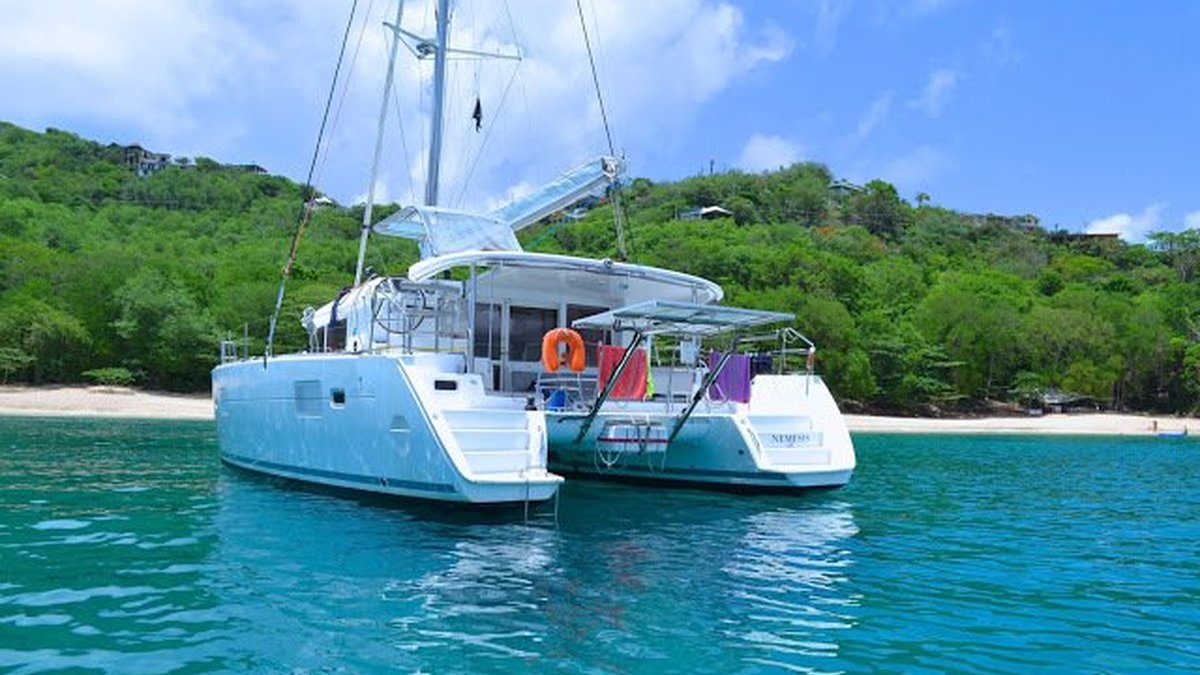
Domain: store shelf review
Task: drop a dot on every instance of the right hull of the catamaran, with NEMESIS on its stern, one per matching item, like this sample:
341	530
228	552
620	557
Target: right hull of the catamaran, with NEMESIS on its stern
790	437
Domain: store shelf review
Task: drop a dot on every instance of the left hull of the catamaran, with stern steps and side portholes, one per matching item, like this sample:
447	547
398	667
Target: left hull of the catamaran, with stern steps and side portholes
397	426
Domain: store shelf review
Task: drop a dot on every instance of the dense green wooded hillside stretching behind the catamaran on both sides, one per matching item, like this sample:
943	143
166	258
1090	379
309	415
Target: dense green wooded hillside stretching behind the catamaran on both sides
110	277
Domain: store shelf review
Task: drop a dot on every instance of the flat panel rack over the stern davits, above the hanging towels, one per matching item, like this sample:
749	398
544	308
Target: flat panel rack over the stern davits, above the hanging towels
686	319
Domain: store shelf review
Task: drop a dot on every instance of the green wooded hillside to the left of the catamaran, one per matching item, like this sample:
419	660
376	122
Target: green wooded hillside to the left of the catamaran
101	268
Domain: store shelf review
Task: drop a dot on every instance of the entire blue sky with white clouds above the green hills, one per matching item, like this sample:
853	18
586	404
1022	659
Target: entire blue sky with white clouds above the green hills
1081	114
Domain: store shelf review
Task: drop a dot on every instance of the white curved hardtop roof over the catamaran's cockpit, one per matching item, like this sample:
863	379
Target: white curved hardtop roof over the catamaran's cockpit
574	277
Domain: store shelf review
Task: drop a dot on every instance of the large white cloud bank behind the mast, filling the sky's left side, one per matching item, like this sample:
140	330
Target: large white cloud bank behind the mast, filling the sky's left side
247	81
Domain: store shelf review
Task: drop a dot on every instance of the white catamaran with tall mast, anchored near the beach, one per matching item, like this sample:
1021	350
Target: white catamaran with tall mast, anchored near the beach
489	372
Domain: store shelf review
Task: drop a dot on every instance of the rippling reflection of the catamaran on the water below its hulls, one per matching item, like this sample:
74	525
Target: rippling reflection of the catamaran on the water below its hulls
625	582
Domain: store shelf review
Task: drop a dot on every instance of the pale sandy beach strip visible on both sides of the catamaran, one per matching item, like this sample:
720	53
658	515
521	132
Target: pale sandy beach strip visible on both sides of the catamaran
136	404
